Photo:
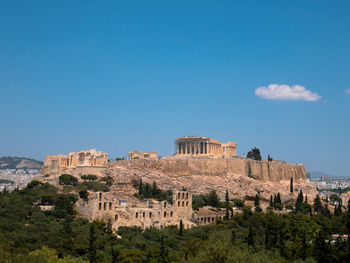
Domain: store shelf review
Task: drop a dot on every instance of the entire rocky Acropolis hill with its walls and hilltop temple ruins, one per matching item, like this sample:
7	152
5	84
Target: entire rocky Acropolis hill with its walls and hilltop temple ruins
200	164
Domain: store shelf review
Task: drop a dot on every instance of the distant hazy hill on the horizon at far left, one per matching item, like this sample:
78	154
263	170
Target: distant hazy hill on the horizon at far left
10	162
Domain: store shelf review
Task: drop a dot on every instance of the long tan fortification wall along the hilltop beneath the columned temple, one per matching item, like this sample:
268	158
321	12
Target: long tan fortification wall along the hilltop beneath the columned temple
261	170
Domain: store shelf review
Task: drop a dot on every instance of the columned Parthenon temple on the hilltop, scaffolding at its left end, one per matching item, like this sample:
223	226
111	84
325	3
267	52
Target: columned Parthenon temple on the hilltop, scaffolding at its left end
197	145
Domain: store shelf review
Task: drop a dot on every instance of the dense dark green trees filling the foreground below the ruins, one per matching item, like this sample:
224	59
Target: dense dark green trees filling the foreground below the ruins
28	234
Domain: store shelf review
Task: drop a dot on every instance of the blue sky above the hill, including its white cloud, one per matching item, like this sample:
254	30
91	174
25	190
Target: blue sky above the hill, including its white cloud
124	75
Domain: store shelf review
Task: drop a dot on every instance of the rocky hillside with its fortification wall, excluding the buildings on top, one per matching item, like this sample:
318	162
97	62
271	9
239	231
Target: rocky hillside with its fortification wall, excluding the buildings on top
241	177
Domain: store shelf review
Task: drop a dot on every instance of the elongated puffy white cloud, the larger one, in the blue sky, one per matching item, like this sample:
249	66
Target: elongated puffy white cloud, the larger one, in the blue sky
286	92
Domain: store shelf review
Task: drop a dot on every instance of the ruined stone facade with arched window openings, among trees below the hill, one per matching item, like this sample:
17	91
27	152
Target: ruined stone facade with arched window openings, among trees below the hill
124	210
